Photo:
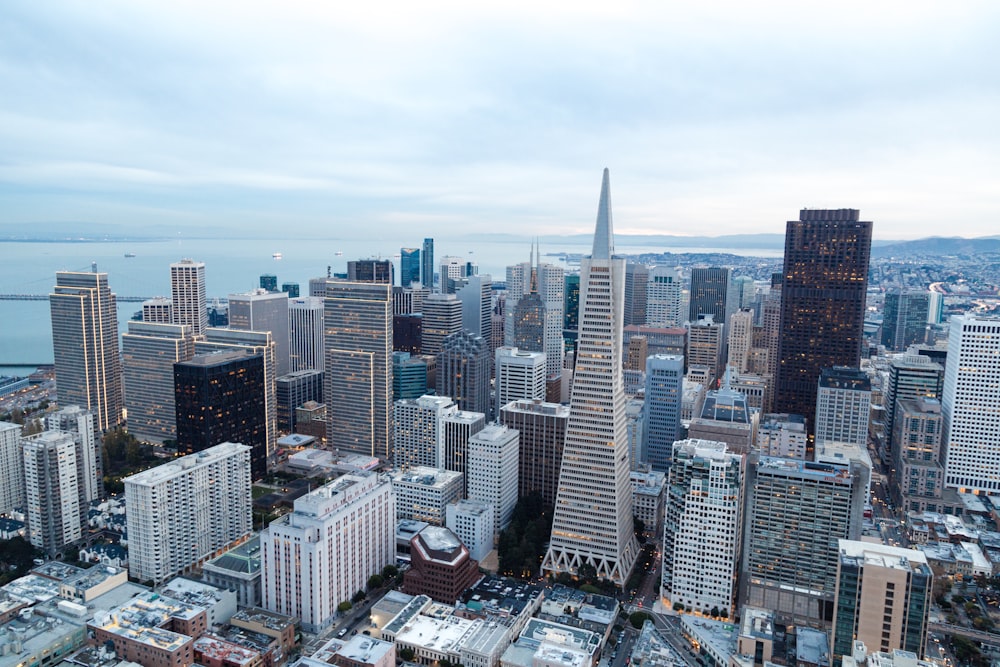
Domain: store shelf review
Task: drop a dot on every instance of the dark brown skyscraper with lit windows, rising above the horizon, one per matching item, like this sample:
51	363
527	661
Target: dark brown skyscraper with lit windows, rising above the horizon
822	303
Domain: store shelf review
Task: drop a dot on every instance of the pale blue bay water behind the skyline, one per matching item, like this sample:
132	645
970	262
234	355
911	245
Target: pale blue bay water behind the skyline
231	265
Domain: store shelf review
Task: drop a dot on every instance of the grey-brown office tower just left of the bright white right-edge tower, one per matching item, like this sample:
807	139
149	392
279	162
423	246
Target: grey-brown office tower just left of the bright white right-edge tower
918	478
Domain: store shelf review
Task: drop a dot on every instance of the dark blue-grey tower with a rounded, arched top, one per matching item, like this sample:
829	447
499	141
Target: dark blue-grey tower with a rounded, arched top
463	371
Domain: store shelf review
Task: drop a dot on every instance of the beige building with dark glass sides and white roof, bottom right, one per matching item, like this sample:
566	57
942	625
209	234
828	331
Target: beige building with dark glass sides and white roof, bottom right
883	598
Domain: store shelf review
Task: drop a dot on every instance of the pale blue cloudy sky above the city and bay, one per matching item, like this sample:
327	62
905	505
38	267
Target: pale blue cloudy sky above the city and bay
353	119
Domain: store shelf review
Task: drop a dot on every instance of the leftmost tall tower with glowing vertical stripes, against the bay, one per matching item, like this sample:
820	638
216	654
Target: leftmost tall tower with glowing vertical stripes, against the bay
85	345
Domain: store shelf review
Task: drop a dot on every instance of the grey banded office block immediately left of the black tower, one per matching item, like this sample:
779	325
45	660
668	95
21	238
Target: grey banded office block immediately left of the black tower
149	352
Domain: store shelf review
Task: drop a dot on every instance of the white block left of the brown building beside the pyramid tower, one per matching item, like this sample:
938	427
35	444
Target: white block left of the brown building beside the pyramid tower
492	470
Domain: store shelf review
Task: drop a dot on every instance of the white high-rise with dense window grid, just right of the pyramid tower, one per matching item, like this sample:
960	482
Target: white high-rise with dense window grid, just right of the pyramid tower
702	529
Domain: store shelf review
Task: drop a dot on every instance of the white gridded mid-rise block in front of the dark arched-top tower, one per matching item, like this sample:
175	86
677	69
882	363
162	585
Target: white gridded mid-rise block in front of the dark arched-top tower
418	431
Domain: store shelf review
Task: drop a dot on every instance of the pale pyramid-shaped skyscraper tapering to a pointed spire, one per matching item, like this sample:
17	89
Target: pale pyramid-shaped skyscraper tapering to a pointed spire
592	521
